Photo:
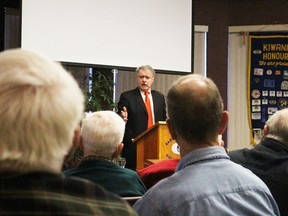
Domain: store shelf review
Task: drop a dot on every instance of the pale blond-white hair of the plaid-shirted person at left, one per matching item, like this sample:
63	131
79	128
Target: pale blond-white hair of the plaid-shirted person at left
41	105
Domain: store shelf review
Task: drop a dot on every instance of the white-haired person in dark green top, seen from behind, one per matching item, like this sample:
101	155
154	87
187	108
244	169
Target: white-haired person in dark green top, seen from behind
102	133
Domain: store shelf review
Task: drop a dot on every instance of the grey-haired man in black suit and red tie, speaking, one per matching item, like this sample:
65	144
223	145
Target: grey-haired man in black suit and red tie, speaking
140	108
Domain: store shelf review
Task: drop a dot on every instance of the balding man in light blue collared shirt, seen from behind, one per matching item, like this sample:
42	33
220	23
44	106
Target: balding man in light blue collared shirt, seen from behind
206	182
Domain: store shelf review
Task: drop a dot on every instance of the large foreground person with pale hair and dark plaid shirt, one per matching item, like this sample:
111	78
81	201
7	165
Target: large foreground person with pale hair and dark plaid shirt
41	107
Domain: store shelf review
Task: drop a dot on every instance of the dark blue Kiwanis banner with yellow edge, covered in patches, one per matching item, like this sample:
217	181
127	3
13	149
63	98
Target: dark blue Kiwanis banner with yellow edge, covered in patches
267	79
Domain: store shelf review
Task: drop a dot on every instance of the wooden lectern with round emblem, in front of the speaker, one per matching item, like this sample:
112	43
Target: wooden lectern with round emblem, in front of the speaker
155	143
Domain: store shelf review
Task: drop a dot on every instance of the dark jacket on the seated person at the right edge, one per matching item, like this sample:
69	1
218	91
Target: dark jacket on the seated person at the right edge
269	161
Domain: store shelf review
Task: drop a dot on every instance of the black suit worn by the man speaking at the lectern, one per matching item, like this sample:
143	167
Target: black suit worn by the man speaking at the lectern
138	119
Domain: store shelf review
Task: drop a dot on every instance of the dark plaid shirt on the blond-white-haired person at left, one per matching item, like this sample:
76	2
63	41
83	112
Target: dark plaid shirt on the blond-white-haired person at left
52	194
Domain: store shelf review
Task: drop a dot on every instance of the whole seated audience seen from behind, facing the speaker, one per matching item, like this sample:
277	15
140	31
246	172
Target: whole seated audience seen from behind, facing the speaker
43	124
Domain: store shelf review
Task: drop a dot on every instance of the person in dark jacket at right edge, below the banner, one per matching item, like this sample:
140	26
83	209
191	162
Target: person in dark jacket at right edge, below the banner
269	159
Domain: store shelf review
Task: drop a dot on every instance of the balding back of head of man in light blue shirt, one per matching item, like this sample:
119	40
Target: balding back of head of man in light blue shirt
195	108
